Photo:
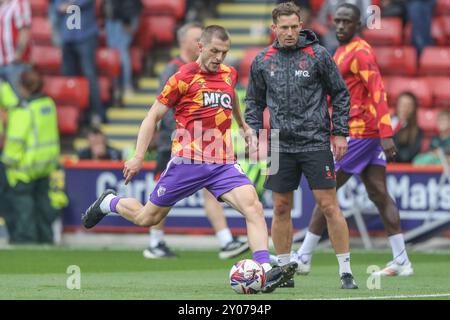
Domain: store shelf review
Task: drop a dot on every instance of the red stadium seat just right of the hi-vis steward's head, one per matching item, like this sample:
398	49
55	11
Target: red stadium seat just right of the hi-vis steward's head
73	91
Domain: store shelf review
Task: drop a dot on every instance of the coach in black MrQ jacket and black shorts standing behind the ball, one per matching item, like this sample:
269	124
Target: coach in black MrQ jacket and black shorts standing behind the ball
293	78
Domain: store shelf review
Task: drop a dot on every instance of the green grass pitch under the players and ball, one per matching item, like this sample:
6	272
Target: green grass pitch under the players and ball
41	273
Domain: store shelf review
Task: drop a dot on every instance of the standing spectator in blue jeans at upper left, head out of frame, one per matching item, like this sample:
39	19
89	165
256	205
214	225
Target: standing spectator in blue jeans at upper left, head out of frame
78	50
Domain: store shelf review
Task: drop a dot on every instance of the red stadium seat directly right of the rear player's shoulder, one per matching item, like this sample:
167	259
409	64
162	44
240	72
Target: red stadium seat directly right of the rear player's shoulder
397	61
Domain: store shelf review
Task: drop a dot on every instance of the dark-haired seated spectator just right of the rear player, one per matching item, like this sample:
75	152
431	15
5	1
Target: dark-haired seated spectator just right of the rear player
408	137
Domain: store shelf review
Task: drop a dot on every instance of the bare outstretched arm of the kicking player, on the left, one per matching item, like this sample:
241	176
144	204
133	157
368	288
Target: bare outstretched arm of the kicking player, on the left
145	135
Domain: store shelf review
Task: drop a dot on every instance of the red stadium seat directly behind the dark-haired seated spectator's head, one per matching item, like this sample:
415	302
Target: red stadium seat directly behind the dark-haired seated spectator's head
418	86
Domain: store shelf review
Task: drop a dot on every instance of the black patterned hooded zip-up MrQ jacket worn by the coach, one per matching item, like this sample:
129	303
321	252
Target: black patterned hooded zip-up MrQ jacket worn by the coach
294	83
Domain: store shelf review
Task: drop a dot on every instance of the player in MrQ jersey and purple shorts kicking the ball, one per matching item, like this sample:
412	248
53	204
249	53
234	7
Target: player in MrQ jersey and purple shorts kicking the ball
203	93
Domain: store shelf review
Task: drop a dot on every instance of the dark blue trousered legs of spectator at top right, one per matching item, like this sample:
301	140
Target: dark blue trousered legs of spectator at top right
420	14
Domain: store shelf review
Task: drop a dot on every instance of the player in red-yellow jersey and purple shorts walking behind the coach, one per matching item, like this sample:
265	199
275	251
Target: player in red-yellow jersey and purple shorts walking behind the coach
370	141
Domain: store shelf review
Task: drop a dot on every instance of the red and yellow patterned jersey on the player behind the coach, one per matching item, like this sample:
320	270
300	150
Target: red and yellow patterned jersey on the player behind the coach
369	112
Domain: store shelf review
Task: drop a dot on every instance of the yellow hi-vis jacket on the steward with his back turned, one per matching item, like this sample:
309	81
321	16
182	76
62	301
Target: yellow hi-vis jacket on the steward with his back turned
32	140
